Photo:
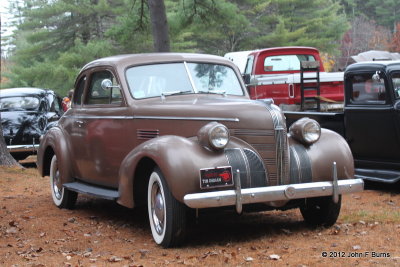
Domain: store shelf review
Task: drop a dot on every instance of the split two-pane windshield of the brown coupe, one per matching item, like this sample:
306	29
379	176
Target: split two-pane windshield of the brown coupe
181	78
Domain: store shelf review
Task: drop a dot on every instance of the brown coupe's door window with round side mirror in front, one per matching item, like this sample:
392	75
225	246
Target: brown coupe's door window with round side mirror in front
98	95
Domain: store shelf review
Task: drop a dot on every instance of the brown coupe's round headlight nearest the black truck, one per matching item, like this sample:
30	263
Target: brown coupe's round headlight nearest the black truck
306	131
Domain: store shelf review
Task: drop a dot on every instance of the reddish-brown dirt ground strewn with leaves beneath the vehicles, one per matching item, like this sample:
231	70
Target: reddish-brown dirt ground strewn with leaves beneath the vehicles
33	232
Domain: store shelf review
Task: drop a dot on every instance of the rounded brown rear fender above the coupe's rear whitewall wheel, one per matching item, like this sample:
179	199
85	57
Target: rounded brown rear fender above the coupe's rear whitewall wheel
54	142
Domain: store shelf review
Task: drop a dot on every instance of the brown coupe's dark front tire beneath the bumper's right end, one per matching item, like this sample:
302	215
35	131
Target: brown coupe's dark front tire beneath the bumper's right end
321	211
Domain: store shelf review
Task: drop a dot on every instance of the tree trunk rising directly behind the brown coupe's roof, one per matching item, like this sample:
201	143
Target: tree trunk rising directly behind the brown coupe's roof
159	25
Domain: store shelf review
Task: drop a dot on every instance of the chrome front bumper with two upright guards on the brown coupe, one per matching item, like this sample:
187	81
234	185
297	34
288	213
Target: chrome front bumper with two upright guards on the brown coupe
239	196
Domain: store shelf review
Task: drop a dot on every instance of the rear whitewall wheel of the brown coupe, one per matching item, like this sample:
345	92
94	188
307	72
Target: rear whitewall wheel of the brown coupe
62	197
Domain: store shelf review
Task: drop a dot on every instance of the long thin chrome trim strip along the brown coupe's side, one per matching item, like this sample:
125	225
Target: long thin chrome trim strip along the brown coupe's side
154	118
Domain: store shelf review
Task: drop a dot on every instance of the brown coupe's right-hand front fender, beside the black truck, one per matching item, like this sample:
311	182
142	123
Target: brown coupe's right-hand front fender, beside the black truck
314	163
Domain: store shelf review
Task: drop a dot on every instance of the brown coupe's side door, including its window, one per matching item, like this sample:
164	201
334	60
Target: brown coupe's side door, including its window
100	130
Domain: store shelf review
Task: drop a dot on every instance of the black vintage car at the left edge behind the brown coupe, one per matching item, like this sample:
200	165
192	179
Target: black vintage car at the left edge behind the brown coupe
26	114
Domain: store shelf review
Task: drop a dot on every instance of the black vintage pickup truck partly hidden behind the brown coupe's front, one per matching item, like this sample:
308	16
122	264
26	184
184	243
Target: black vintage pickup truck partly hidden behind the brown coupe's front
370	121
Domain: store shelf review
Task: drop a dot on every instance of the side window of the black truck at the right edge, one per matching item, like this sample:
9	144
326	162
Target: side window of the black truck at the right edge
366	90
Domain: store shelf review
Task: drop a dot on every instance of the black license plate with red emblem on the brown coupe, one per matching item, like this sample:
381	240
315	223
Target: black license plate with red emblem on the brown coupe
216	177
